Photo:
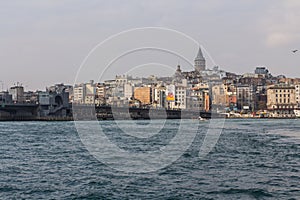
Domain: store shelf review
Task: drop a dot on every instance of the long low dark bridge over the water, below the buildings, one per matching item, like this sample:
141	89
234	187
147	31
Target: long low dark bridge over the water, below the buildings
29	112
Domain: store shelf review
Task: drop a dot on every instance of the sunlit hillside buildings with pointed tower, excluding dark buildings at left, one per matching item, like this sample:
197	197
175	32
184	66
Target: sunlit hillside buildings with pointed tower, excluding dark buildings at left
202	89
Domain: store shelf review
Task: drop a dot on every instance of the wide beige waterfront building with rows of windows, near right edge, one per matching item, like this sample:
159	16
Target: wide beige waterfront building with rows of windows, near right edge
281	101
